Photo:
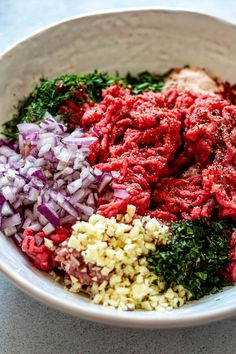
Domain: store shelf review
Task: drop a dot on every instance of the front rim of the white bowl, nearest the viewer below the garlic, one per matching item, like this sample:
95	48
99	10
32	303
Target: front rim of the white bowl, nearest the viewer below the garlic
101	314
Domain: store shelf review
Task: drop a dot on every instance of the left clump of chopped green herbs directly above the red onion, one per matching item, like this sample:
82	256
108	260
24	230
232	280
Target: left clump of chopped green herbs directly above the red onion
51	94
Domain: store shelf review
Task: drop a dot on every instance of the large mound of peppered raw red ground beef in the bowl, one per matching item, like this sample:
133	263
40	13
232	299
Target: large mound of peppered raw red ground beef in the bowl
175	152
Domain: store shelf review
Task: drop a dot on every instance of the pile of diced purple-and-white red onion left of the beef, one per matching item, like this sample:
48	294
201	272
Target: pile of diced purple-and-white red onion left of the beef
50	183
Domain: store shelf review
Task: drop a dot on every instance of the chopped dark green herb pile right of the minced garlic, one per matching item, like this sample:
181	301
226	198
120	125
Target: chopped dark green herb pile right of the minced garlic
194	256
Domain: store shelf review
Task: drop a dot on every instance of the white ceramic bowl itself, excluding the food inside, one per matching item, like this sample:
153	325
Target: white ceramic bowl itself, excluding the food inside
133	41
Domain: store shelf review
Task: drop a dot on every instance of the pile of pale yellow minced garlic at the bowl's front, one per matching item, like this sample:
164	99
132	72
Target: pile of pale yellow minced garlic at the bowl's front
119	247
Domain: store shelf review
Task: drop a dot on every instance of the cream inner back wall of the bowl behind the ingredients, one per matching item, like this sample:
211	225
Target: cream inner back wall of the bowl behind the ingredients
130	41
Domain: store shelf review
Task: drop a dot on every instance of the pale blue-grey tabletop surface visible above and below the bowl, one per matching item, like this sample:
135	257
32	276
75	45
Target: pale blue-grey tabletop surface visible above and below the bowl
29	327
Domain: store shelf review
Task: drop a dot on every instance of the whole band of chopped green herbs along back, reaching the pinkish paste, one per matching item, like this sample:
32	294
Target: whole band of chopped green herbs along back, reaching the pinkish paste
50	94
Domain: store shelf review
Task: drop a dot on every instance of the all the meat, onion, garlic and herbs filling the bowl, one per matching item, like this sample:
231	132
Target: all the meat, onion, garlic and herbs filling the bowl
125	188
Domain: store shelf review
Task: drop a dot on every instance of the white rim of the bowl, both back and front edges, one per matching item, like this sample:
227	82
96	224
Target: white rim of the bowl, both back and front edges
99	314
